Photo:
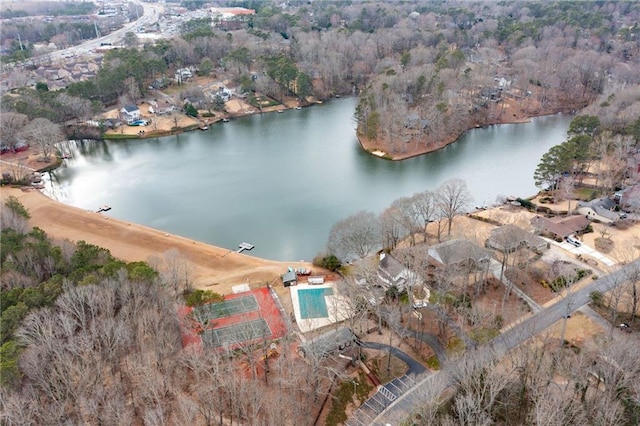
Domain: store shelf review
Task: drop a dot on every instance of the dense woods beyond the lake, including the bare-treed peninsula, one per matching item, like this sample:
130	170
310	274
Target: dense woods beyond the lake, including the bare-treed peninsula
424	72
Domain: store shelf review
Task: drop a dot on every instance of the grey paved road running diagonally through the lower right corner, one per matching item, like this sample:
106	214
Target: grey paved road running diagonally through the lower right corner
430	387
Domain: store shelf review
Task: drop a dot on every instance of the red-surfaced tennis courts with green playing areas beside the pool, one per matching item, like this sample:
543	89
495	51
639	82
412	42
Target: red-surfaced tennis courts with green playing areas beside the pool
240	319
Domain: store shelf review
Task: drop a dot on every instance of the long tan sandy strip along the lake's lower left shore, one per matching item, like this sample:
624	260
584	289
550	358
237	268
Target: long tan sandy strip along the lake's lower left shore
212	268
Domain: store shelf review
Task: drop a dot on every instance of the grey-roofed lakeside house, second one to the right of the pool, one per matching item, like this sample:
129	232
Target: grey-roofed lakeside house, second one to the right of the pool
459	253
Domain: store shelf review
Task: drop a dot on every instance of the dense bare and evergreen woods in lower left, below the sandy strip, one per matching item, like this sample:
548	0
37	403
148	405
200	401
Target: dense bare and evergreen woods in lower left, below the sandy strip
97	340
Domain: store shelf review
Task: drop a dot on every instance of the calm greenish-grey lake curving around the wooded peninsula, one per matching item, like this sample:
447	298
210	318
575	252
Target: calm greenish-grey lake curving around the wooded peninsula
280	181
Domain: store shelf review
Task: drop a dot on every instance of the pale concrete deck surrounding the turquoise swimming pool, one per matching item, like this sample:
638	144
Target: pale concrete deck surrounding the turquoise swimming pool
337	308
